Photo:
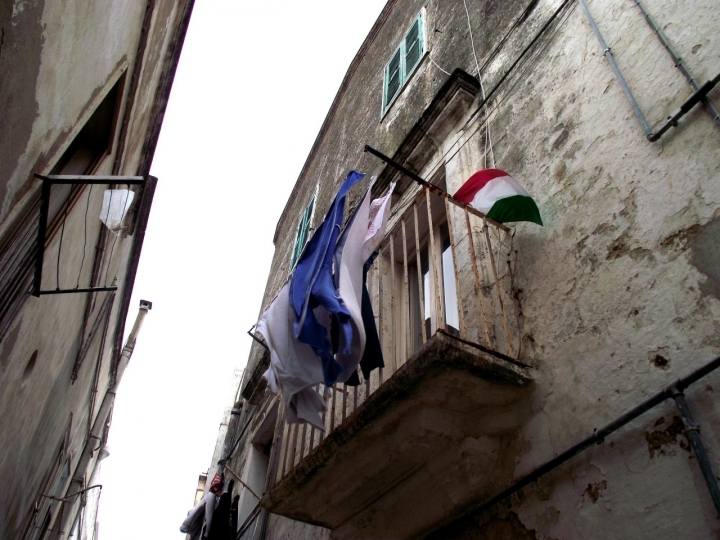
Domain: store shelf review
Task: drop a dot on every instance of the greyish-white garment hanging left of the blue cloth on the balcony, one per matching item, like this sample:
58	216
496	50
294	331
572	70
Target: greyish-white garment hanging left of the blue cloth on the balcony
294	368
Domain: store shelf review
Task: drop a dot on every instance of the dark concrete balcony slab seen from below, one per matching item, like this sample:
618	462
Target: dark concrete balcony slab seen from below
441	432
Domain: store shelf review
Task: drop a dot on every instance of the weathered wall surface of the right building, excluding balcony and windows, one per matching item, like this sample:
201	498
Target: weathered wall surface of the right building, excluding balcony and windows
618	292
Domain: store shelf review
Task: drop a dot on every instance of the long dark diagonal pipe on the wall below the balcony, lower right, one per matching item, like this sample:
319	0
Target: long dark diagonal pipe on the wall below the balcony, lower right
599	435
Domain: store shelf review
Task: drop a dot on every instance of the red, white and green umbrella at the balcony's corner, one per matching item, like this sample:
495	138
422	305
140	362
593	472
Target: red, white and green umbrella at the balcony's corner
499	196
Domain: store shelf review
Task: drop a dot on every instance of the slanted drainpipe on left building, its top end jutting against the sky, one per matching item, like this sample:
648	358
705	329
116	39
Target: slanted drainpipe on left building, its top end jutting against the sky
94	438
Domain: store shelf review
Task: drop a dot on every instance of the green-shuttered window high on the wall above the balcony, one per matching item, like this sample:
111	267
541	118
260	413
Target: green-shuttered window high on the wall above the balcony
404	61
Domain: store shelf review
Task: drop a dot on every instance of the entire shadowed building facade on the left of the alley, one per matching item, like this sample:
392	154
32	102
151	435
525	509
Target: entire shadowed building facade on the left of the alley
83	92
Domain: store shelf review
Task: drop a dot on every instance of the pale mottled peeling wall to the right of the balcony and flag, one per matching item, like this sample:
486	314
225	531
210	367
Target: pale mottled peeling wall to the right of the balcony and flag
617	299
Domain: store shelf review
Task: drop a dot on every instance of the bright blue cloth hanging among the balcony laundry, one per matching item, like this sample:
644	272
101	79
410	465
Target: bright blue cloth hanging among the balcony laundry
312	285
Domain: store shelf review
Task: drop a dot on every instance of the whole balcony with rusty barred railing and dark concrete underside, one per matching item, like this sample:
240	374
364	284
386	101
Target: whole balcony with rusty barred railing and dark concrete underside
436	428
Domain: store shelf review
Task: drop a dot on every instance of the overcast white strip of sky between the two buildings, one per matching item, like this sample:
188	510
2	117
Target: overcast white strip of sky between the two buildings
252	89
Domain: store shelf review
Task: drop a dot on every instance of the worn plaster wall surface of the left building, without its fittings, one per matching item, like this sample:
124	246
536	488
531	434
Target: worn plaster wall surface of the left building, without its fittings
58	60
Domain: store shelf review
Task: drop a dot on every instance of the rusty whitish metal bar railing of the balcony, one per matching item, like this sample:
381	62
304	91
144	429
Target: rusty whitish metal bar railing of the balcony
439	268
